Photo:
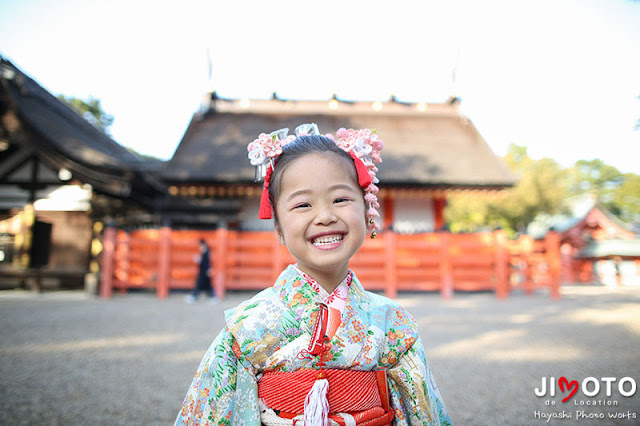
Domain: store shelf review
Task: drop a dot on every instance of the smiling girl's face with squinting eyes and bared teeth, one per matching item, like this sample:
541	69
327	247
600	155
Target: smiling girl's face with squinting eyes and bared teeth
321	216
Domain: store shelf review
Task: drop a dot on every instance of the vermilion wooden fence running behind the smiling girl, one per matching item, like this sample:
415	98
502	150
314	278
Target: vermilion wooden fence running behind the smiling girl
163	260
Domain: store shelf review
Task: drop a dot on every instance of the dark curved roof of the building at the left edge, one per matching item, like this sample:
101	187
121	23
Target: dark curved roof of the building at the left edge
35	123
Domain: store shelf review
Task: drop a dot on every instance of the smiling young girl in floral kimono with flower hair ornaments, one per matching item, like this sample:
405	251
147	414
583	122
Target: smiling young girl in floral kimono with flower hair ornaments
316	348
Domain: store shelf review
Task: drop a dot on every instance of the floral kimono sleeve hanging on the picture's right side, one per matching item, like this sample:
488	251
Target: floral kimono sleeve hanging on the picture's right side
414	394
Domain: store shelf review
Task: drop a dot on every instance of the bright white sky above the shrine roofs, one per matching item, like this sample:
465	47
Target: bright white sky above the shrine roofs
561	77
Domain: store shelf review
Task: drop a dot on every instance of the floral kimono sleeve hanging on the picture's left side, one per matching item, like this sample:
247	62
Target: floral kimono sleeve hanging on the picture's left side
223	391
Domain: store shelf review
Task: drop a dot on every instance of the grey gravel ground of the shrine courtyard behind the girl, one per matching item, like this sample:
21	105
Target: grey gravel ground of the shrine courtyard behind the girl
70	358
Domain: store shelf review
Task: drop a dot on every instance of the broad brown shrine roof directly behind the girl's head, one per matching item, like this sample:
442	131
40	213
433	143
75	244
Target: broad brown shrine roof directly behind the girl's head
425	145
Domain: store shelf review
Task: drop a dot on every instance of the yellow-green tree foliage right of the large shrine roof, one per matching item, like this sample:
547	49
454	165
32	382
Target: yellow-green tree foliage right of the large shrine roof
544	187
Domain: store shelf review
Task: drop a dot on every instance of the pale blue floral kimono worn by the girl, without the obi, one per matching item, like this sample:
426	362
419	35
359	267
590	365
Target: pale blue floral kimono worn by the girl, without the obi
271	330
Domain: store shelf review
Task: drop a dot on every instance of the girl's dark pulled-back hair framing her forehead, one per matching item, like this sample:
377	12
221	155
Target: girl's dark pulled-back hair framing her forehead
301	146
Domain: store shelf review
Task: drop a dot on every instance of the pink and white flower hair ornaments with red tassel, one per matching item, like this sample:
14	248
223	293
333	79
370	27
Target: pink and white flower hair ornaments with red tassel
363	146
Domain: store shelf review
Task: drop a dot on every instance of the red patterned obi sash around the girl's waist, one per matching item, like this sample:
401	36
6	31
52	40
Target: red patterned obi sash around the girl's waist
362	394
